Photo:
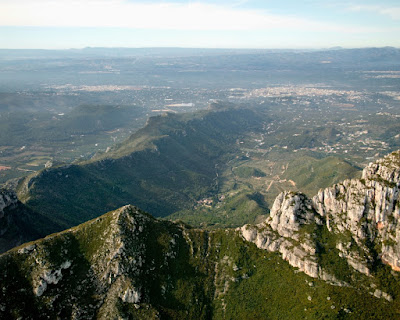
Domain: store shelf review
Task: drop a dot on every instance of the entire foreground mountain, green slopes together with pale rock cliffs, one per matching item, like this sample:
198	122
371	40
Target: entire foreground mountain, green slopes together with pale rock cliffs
329	257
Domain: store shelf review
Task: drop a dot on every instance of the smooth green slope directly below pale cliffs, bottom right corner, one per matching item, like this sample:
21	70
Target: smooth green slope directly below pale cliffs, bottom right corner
274	291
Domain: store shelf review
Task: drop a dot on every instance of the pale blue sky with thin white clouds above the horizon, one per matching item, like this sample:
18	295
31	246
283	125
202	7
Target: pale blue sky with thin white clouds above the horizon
278	24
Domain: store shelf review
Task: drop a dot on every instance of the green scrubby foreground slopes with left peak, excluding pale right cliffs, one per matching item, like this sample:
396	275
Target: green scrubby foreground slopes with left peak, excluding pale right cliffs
187	273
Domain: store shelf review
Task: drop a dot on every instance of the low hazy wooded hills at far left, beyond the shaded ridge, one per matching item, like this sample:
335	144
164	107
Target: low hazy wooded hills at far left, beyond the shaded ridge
25	128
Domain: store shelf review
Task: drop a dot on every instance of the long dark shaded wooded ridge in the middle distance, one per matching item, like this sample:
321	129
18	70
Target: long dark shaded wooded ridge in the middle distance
161	168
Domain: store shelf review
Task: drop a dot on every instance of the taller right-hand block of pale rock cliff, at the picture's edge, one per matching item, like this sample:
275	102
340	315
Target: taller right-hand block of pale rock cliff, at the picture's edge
367	210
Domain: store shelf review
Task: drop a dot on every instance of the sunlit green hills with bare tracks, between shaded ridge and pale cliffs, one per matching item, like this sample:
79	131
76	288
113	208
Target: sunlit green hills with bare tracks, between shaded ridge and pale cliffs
249	186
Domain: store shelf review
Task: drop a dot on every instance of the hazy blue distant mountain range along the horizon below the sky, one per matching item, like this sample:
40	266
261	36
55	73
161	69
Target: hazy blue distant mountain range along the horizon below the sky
357	57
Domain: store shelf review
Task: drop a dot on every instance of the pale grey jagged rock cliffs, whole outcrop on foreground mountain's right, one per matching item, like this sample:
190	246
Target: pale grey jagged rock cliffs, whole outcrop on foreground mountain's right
357	220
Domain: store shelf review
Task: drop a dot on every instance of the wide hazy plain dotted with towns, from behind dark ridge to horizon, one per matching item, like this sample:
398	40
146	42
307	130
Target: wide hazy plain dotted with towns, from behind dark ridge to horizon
46	98
